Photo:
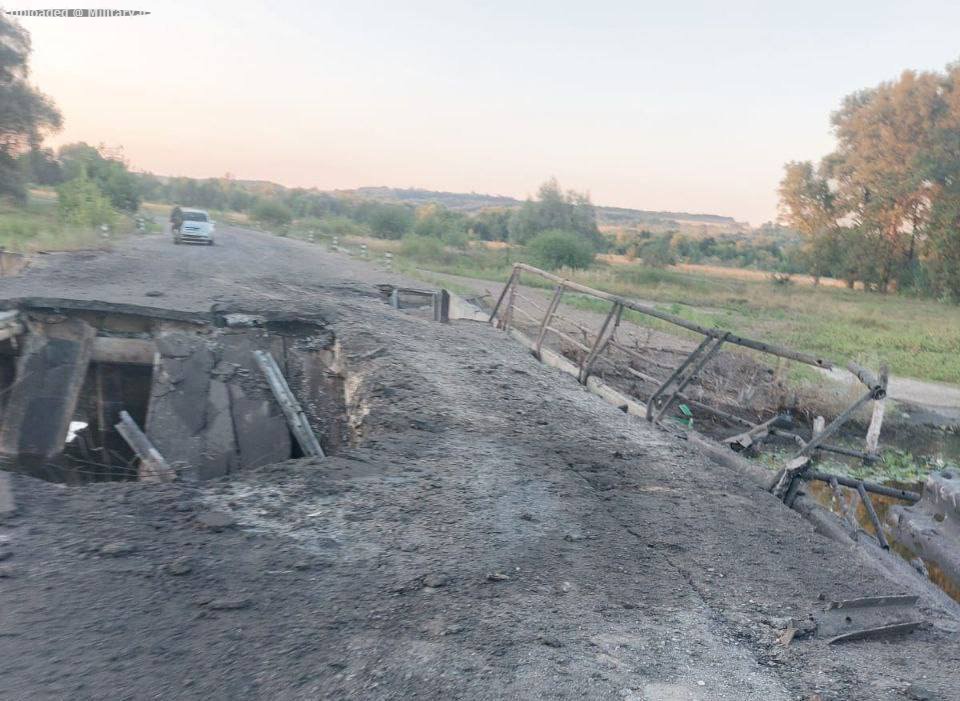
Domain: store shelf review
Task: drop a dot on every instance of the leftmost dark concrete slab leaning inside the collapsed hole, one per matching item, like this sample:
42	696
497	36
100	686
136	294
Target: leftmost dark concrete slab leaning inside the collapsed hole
43	398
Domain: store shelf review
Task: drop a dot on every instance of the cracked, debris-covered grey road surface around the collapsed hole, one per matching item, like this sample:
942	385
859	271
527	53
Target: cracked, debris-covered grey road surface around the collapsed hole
499	533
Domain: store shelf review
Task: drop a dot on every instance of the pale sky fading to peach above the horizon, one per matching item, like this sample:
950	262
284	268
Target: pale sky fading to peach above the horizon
685	106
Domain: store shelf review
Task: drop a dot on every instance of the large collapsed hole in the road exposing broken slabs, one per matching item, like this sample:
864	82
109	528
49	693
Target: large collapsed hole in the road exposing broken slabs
191	384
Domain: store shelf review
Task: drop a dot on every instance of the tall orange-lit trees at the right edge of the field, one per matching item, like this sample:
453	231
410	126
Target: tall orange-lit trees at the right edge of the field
883	209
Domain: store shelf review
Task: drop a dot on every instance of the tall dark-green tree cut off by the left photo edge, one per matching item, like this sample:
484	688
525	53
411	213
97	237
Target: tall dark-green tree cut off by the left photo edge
25	114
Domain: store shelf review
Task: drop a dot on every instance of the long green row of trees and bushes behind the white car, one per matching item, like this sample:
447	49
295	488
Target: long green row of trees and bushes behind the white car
93	184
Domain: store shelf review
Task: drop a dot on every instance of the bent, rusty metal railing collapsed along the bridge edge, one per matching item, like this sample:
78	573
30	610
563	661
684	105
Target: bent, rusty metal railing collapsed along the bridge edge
593	349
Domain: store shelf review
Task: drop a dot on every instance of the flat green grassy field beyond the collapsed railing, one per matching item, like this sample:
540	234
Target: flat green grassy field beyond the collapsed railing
916	338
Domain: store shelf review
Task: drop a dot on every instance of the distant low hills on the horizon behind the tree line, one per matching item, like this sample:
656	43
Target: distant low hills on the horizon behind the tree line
472	202
